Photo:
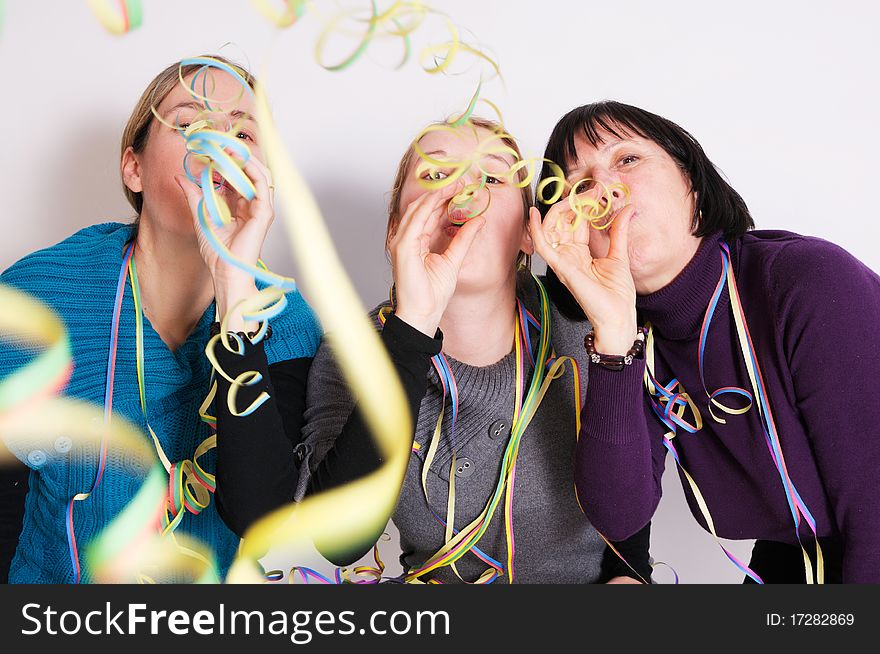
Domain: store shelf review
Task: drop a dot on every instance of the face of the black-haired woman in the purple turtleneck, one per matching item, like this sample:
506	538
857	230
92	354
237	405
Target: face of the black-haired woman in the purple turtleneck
660	234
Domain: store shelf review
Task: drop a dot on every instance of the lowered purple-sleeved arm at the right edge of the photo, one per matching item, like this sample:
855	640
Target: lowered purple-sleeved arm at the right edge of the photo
829	312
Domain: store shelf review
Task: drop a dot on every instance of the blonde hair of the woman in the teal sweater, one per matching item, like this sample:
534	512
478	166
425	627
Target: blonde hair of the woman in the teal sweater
137	129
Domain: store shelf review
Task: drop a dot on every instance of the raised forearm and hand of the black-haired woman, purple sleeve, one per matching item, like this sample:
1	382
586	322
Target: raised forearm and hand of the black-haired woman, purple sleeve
618	463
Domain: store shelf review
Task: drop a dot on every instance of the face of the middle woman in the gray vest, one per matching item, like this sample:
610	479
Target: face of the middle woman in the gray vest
492	258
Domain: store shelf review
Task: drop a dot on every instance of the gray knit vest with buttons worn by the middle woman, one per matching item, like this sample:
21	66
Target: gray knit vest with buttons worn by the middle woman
554	541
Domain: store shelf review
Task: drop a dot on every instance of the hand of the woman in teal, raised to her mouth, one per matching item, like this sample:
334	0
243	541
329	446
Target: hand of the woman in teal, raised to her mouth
243	237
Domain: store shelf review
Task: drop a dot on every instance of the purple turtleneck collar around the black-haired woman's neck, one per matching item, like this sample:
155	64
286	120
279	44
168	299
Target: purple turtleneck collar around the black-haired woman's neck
676	311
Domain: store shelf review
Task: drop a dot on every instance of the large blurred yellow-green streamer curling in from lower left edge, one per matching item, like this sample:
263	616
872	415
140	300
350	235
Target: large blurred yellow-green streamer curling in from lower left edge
33	418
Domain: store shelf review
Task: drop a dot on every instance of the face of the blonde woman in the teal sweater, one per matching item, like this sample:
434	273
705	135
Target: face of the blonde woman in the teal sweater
162	157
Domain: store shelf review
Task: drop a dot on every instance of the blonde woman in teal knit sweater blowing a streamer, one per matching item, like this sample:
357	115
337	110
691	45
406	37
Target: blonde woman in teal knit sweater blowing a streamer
183	285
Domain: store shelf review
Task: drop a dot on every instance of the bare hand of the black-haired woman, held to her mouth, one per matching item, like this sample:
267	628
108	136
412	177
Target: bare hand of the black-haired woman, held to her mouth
604	288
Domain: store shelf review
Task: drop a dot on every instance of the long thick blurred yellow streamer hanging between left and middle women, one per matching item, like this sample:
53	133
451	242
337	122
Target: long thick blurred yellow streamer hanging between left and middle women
356	512
